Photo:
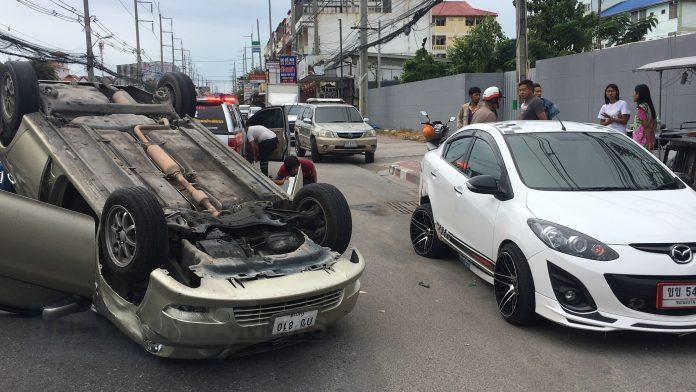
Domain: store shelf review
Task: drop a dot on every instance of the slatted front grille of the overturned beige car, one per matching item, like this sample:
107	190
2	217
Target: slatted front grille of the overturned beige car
248	316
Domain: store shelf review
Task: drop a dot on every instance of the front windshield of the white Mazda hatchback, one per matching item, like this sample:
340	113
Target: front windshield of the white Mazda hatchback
574	161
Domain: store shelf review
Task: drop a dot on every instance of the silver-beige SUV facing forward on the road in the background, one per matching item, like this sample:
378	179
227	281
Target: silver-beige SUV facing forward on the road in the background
334	128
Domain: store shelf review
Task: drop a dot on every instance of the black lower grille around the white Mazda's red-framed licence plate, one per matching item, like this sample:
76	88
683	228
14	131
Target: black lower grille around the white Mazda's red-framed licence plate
639	292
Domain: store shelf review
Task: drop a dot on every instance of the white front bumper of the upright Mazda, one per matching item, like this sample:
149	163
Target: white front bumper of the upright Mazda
612	312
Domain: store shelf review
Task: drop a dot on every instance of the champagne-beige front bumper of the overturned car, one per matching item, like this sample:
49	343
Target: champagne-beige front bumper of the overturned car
222	318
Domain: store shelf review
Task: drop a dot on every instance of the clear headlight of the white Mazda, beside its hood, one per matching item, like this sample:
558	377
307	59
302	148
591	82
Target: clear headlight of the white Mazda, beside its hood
571	242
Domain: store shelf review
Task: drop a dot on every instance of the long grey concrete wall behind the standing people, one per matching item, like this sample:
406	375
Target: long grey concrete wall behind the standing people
574	83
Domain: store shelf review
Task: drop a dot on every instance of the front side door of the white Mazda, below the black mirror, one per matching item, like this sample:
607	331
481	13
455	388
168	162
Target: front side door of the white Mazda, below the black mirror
476	213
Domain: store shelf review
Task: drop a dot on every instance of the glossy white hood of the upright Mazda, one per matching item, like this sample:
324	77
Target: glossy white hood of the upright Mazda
621	217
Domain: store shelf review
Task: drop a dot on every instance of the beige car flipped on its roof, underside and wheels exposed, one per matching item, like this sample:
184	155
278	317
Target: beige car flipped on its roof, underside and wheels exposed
127	205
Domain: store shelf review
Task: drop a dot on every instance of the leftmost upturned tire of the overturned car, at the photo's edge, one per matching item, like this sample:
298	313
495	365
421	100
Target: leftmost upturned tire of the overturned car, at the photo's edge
19	95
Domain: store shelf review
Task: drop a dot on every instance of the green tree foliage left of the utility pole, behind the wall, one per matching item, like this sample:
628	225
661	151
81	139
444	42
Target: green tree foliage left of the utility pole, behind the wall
484	49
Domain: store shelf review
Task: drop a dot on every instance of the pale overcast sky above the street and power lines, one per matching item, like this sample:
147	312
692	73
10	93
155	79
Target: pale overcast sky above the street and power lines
213	30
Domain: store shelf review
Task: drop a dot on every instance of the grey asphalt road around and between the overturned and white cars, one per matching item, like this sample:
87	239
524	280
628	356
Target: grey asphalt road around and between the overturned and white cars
401	335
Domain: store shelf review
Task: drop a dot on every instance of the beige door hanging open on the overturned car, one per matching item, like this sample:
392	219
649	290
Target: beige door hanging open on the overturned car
48	253
